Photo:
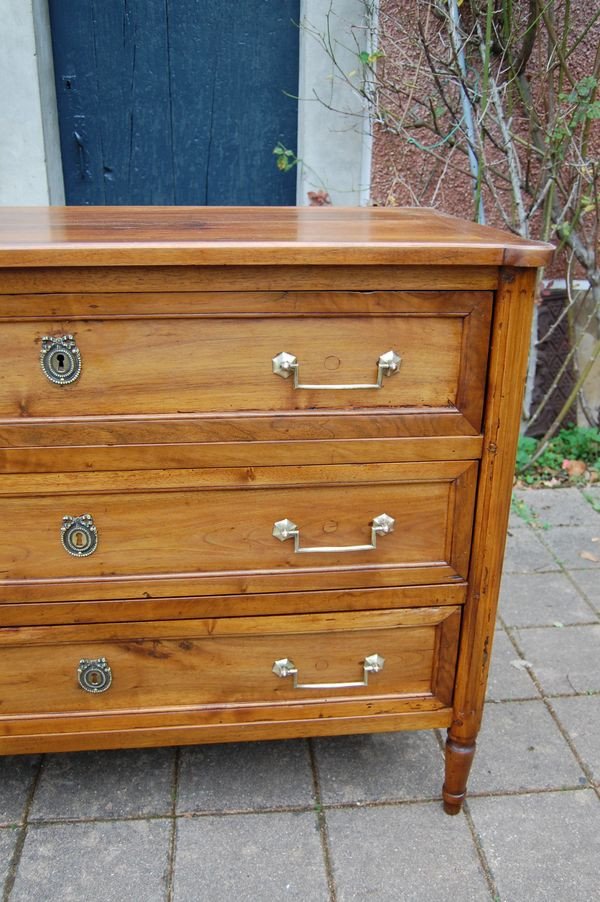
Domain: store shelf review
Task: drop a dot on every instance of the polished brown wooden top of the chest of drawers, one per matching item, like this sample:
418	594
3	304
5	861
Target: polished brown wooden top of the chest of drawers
207	236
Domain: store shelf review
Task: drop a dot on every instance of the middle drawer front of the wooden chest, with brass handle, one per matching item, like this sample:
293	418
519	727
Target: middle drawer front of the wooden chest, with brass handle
361	524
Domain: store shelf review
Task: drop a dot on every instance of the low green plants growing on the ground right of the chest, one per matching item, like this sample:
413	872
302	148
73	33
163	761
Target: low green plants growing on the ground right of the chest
573	444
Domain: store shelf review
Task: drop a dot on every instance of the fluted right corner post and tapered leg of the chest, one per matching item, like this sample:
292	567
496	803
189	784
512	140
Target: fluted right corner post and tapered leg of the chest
502	421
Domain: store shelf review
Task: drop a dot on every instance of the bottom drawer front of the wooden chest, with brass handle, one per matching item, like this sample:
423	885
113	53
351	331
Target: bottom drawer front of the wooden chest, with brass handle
238	661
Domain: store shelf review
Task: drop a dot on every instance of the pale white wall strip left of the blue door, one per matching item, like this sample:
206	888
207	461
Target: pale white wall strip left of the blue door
29	145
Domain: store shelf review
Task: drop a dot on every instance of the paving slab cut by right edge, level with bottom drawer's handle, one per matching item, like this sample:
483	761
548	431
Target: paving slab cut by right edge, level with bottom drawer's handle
565	661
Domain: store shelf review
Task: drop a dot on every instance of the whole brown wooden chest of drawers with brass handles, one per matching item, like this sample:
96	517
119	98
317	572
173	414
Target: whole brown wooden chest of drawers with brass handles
255	472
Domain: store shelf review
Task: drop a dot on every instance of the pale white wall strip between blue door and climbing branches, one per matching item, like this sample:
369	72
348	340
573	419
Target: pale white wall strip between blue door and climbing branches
334	142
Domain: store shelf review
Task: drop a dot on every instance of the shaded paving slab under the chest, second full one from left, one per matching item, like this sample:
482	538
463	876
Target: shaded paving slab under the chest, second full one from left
245	776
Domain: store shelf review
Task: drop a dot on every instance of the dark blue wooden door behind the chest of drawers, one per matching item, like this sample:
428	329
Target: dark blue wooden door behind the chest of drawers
176	101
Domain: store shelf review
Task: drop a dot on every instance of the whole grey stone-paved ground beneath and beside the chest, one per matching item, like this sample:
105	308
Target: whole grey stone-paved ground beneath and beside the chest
356	818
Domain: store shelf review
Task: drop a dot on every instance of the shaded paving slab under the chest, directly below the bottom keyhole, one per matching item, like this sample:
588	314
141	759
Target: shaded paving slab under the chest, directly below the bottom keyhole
110	784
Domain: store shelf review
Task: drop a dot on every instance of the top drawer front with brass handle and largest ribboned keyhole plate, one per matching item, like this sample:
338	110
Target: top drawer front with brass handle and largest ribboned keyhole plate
214	363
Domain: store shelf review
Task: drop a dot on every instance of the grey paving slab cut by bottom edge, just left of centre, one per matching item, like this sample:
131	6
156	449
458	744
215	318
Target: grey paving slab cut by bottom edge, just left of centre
249	858
